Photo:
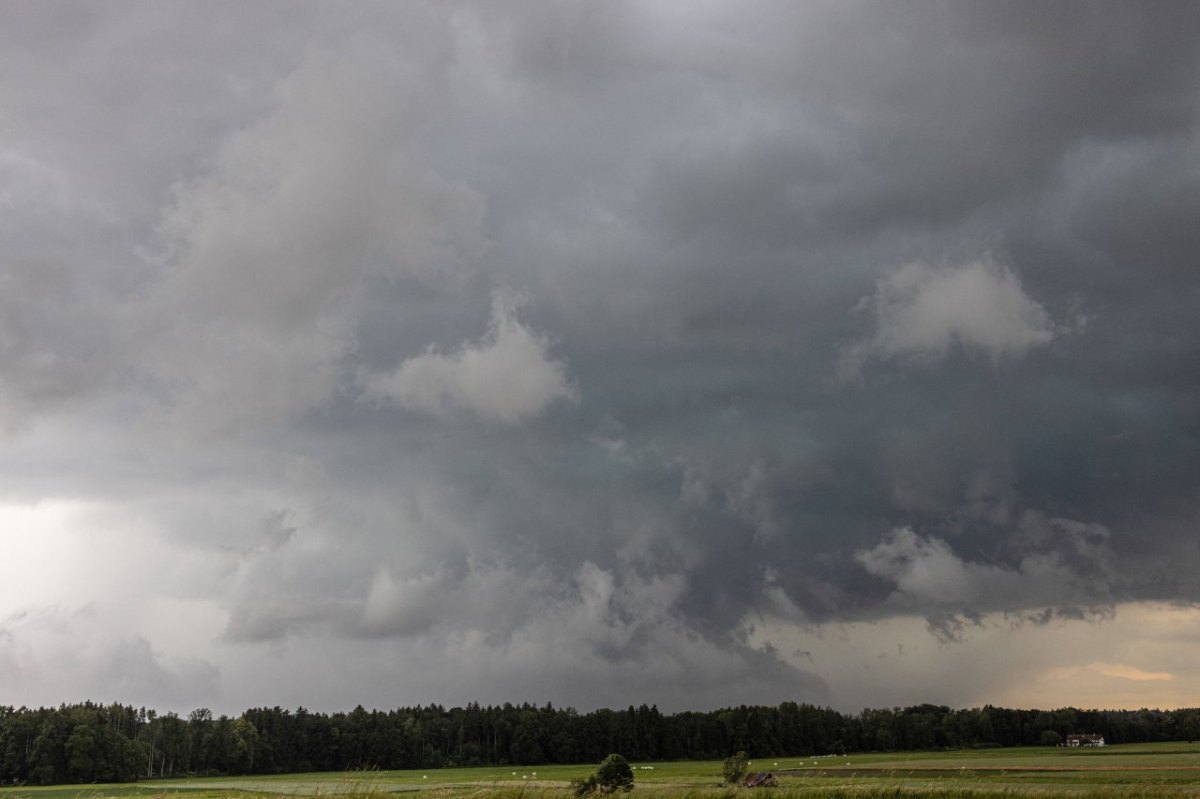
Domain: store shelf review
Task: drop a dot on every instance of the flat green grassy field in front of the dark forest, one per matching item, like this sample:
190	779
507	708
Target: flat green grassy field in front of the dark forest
1135	771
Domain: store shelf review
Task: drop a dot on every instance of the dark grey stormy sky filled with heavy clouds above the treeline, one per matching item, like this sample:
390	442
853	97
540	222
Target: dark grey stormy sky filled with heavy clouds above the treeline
682	353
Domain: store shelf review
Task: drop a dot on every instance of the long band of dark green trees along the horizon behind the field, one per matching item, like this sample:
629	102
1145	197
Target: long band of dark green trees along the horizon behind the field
87	743
